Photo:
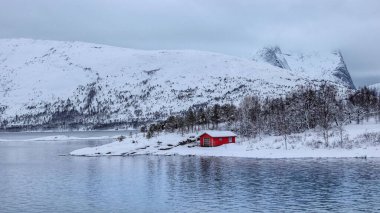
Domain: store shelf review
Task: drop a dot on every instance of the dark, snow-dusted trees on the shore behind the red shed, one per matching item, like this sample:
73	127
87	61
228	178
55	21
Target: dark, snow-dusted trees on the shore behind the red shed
307	107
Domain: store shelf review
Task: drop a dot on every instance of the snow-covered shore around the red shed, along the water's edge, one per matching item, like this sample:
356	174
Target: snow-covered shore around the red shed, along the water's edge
361	140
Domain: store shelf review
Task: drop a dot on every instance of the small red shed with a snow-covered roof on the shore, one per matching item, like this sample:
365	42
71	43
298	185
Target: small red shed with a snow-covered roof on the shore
216	138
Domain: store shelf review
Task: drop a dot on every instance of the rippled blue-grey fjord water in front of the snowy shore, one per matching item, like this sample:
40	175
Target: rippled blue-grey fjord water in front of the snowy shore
35	177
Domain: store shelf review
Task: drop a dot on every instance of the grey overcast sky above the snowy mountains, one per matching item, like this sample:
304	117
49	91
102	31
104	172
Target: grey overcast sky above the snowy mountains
235	27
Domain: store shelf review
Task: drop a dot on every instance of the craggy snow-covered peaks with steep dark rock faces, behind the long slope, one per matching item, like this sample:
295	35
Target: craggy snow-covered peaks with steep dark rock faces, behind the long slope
314	64
